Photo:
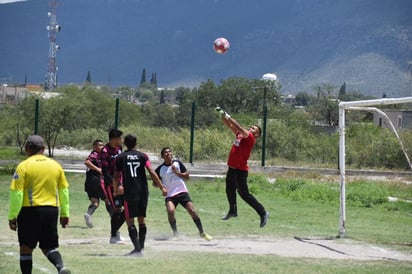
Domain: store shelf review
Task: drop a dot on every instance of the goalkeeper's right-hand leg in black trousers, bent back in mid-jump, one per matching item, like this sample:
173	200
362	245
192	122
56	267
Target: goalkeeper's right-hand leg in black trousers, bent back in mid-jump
244	193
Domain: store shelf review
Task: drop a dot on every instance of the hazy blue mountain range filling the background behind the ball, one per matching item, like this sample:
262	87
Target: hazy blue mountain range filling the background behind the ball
365	43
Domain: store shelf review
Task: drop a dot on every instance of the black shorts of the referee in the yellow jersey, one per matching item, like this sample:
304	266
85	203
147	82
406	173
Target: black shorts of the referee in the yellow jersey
38	225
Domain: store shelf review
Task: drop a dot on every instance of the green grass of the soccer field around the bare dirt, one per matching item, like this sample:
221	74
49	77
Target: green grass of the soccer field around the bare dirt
299	207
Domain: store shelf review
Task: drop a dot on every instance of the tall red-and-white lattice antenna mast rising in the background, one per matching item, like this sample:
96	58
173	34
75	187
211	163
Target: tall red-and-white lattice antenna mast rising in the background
53	28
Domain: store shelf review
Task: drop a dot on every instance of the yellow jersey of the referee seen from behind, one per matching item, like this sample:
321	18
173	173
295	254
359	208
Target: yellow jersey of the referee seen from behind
40	180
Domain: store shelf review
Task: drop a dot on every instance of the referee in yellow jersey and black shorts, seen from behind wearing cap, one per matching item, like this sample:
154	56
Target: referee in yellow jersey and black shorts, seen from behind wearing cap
39	187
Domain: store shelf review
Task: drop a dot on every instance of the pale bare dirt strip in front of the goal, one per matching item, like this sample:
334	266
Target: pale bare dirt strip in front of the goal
339	249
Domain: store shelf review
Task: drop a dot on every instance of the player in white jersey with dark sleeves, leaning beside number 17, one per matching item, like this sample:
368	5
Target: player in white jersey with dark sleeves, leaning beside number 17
173	173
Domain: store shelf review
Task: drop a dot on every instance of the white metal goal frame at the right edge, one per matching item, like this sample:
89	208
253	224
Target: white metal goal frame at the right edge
364	105
